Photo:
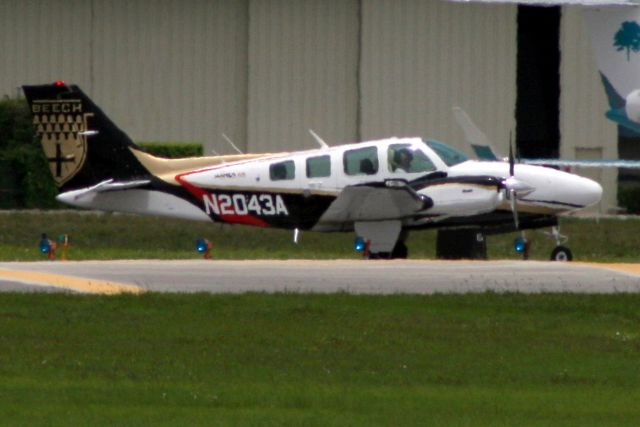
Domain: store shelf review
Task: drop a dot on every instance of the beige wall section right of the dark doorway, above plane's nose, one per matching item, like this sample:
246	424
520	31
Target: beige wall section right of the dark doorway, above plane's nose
583	128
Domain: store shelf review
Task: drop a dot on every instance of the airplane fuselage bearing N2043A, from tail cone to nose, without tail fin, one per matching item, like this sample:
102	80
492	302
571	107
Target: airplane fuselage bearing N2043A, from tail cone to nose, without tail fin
274	189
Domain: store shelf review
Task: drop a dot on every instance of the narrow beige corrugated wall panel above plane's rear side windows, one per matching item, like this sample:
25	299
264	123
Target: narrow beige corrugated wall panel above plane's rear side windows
303	58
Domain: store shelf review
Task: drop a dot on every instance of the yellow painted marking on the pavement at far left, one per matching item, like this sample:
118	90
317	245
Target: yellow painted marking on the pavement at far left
80	284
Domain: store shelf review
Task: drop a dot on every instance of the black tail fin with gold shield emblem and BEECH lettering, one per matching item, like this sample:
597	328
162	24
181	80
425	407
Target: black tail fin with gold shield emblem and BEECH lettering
83	146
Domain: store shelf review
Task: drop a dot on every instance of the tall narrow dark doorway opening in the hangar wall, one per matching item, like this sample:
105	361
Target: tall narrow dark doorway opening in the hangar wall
538	82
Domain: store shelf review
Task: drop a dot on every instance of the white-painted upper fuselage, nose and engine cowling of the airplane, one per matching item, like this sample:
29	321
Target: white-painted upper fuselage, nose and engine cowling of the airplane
553	191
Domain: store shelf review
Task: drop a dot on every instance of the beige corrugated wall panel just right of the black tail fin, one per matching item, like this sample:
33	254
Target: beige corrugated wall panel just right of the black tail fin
182	65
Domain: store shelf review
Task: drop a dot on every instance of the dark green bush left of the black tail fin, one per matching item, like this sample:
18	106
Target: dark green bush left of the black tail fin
25	179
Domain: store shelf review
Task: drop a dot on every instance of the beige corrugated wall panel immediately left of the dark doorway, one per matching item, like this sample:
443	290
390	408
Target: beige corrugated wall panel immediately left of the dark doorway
421	58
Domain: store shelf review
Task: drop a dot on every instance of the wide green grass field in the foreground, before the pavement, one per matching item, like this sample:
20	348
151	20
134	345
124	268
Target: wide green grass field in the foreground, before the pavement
318	360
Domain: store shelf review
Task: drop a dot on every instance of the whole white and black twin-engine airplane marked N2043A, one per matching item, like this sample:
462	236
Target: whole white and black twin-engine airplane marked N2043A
381	189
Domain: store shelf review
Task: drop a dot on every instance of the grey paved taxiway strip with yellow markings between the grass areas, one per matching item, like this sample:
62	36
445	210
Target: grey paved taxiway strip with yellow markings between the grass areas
359	276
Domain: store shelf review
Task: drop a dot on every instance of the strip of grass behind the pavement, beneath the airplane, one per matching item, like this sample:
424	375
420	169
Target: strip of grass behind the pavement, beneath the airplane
110	236
